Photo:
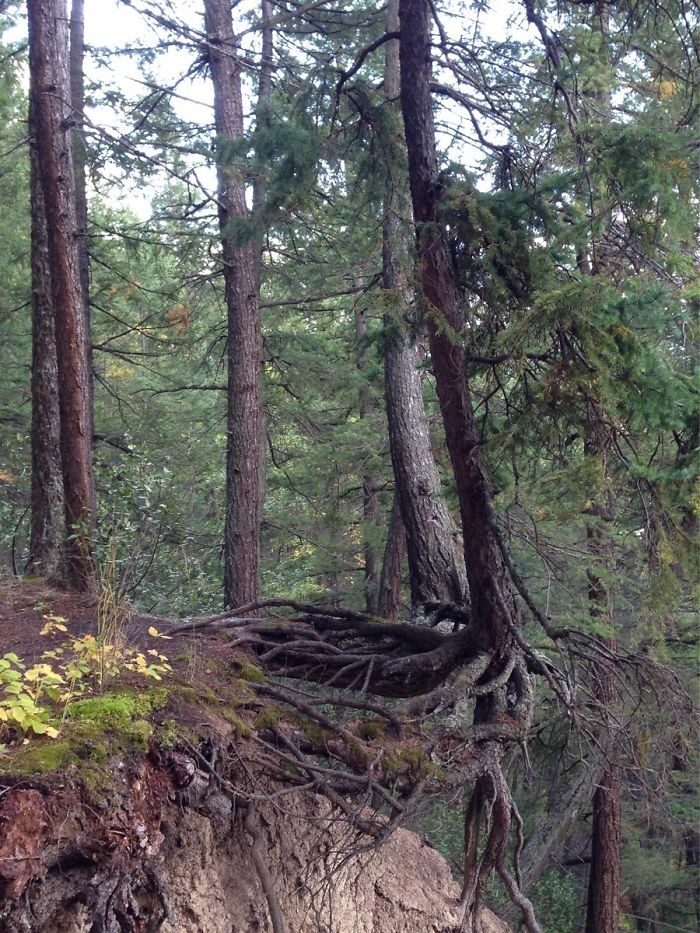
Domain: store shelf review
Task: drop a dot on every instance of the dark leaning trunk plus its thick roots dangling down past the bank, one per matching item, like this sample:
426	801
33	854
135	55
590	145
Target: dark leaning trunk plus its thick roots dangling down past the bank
494	614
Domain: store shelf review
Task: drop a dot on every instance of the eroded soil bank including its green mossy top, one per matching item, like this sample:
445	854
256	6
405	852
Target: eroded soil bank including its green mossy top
148	813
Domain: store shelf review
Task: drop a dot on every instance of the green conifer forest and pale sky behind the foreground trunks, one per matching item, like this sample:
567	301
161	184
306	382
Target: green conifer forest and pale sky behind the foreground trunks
568	195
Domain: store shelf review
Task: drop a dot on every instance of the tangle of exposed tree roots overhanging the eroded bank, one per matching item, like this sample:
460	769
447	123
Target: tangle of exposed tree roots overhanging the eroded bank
464	700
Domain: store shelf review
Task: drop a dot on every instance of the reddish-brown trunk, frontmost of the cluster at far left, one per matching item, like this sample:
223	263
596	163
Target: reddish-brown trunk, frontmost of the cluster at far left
50	96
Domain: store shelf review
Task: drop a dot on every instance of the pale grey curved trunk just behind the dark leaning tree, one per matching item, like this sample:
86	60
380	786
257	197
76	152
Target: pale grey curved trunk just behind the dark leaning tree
436	568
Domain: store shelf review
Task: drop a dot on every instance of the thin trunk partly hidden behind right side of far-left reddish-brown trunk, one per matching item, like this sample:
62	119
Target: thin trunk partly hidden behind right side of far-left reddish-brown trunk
77	87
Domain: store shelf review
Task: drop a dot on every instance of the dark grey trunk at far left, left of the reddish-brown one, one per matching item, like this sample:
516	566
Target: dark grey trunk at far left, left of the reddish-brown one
47	483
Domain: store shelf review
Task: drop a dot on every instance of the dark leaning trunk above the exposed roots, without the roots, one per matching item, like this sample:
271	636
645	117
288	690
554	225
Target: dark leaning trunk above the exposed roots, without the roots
491	599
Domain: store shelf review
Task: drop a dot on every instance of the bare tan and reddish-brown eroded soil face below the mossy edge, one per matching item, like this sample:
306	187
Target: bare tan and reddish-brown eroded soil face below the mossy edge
183	860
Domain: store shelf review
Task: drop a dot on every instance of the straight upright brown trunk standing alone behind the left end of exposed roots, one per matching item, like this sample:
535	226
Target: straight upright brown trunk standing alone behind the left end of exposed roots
241	279
